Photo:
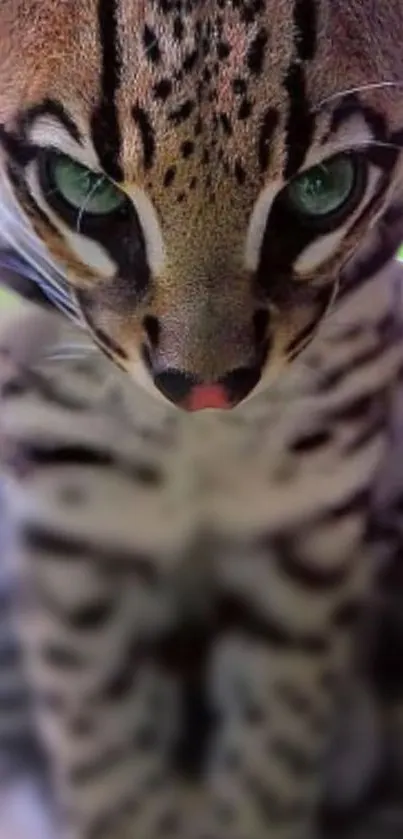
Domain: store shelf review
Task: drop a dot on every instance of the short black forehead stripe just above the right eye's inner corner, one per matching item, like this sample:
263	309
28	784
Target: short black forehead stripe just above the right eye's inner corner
300	122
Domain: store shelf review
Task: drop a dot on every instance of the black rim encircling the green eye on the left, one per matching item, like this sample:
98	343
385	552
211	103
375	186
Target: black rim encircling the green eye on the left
78	216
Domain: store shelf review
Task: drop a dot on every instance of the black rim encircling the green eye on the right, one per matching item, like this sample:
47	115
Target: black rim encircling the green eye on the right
325	222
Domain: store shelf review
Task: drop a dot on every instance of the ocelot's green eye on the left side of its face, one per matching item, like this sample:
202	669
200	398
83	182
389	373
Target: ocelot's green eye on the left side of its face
86	192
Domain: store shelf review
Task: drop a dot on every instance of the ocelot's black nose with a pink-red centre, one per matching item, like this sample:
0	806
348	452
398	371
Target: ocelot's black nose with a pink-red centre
189	393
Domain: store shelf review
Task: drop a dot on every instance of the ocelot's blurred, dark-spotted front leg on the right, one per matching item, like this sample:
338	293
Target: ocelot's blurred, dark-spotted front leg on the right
278	671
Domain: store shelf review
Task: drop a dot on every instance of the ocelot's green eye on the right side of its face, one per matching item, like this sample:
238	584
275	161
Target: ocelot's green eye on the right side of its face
324	190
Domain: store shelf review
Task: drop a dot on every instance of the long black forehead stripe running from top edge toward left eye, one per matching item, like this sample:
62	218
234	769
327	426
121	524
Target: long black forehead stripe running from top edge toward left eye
104	122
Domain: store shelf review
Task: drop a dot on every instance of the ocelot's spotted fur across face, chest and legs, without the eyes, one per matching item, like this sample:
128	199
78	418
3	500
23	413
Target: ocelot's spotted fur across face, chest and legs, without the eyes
190	587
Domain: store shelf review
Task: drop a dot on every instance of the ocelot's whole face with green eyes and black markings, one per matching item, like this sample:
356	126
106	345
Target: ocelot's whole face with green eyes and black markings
202	173
